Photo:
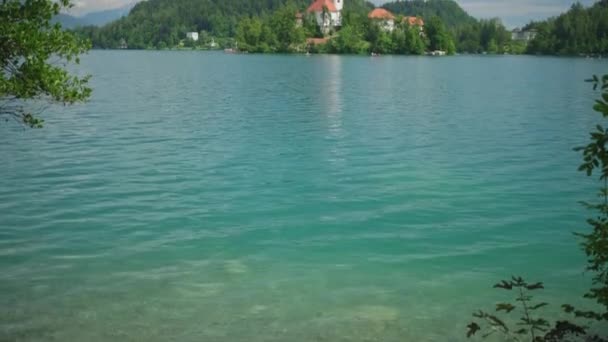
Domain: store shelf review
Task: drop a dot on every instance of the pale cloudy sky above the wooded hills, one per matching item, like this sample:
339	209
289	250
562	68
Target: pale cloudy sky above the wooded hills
512	12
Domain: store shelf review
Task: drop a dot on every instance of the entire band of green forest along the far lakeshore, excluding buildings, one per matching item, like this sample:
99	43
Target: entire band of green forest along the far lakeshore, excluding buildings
269	26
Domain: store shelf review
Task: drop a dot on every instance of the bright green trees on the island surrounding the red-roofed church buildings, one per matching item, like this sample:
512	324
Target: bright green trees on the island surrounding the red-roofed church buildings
358	35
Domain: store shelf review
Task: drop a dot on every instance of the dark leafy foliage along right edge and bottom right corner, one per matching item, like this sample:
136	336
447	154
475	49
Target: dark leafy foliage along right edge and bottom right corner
595	246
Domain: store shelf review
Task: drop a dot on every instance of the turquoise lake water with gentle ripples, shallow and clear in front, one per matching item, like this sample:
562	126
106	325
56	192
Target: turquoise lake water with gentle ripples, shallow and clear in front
211	197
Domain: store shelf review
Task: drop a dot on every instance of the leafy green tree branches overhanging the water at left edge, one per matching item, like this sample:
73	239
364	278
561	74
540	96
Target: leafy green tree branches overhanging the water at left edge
28	44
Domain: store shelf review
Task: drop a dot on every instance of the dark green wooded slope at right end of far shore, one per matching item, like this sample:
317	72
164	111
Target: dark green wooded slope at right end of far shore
579	31
